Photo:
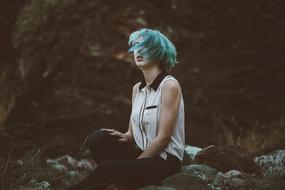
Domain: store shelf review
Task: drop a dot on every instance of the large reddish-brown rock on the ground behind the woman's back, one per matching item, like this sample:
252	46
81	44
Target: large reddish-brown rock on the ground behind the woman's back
228	158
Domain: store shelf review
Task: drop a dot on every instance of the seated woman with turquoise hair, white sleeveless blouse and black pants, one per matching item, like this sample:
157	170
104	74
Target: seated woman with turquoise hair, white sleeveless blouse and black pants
152	148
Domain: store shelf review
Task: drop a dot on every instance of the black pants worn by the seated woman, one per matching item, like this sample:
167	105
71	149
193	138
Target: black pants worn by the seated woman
117	164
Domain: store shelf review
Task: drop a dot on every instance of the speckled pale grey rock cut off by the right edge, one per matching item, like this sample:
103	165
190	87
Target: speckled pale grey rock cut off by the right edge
273	163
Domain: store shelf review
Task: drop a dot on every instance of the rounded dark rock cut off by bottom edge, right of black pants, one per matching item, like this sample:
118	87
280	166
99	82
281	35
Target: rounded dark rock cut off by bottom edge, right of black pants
185	181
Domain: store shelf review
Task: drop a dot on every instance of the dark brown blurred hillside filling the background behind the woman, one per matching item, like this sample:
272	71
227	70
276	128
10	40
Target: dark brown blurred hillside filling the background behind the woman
65	71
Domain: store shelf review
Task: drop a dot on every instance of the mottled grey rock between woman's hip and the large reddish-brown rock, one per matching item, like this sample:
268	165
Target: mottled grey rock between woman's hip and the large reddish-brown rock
203	171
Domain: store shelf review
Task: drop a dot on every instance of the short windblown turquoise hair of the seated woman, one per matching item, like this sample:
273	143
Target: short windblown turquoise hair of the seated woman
154	46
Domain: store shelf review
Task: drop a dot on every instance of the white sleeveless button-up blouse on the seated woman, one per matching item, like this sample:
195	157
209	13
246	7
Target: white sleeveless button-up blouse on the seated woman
145	118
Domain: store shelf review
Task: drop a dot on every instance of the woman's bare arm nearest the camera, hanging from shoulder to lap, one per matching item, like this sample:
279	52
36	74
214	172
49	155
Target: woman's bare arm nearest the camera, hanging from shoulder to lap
171	94
